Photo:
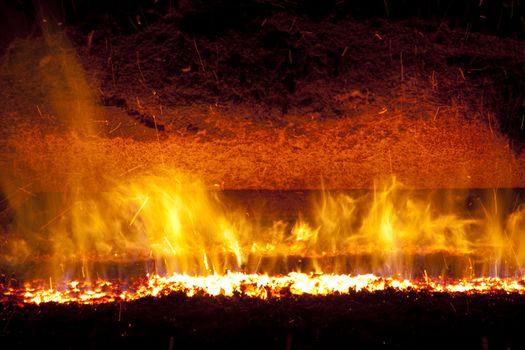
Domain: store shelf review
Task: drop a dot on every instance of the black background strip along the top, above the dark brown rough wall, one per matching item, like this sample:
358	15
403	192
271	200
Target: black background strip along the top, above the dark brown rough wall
19	17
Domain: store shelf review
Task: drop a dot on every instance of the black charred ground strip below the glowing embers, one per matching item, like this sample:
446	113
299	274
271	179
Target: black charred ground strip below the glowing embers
386	320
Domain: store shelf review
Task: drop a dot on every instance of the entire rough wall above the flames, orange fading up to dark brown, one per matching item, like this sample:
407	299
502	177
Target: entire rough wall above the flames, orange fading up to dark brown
288	103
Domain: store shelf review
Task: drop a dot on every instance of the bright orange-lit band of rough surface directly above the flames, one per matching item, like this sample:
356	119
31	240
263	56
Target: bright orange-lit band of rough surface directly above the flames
447	152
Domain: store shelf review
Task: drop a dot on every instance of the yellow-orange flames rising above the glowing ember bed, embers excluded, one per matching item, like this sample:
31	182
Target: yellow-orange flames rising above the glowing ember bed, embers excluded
182	227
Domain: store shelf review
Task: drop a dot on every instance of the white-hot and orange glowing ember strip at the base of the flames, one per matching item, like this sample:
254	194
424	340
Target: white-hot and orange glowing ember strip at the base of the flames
253	286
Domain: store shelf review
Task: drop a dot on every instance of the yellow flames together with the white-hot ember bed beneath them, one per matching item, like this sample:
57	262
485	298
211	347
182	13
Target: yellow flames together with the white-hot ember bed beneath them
185	238
